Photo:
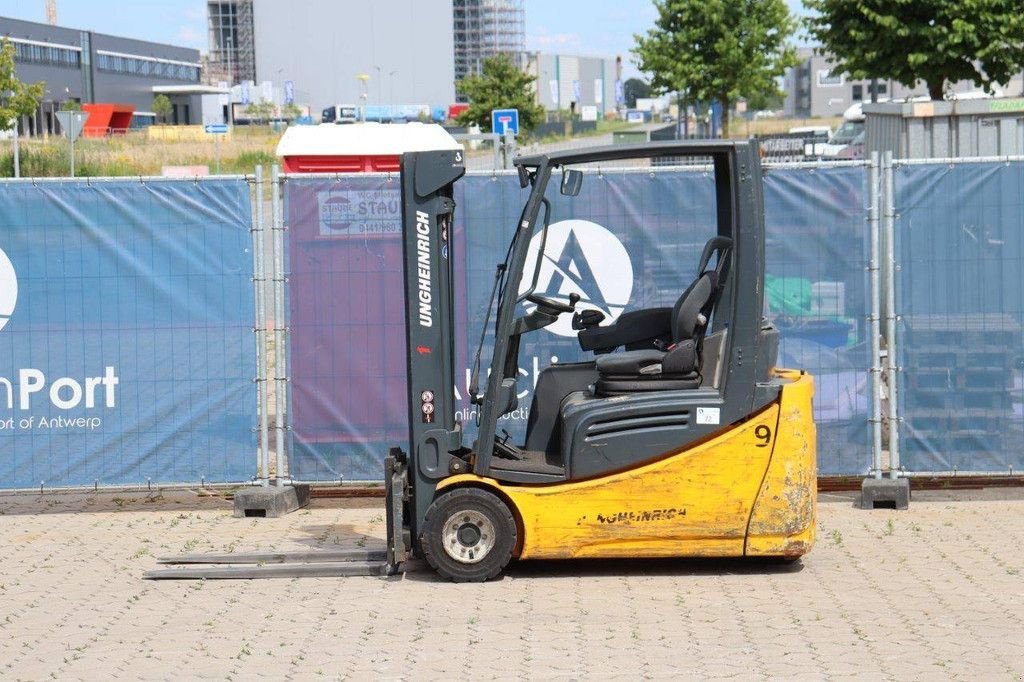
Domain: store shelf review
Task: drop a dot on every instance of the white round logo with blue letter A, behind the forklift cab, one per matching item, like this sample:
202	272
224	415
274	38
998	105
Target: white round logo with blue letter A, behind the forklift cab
582	258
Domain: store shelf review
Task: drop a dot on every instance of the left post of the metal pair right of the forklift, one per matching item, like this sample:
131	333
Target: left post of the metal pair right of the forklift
875	317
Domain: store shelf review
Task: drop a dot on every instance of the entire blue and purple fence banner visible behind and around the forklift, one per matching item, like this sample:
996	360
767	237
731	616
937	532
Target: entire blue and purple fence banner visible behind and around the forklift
631	240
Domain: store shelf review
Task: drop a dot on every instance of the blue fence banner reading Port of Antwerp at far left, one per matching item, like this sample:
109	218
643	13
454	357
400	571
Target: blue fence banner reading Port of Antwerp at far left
126	345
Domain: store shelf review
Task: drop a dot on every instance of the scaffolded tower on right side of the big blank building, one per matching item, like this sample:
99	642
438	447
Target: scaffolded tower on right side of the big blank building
486	28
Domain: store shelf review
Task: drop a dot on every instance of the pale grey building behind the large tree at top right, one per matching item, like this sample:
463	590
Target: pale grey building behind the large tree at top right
815	90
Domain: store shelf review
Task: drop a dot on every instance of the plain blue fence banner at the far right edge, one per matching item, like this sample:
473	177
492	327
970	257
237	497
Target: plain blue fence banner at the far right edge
960	245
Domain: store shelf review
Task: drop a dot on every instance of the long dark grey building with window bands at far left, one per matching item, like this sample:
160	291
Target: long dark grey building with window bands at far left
95	68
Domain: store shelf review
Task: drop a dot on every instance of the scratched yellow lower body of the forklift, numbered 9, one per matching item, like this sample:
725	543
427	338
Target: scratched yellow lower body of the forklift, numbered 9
695	503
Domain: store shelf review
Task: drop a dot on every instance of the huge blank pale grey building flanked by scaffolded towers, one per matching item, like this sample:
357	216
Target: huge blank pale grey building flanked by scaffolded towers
382	53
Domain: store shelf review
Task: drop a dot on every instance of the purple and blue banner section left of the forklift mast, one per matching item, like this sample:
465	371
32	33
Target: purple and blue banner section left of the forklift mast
348	338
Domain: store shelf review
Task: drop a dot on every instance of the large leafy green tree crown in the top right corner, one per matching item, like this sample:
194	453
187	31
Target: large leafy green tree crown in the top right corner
934	41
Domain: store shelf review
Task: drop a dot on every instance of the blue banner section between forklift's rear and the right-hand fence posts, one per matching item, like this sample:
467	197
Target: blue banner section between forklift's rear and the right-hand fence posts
818	247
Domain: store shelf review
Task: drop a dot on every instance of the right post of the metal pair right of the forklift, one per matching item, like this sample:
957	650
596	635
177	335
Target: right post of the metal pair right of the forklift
889	226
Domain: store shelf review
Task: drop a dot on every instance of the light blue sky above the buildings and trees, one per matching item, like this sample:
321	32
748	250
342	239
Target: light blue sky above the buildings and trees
593	28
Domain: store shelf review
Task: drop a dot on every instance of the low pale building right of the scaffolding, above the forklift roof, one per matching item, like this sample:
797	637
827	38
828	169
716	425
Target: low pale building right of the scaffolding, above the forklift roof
566	81
